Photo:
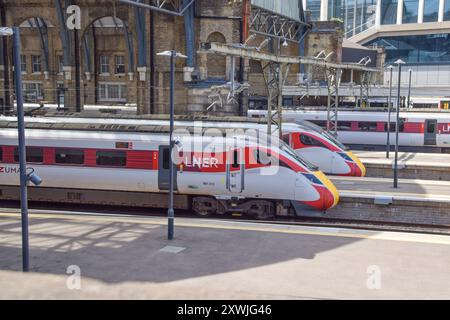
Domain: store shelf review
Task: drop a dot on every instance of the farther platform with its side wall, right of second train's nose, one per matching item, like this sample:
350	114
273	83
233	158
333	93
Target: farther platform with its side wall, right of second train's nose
430	166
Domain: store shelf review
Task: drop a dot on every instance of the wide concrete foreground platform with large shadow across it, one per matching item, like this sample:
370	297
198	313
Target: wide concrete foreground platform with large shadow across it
129	257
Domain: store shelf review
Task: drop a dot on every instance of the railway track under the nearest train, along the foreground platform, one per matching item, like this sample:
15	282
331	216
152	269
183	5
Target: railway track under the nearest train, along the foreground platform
294	221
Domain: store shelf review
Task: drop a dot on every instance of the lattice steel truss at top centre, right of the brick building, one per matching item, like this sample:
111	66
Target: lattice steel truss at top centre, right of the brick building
270	24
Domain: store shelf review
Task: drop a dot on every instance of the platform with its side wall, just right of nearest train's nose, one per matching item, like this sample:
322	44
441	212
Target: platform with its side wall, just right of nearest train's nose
414	202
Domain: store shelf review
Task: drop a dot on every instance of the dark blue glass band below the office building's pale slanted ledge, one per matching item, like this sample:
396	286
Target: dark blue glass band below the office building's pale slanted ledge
418	49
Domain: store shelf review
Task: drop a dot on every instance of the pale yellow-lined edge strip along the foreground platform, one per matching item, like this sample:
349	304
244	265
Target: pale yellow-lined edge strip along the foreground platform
358	234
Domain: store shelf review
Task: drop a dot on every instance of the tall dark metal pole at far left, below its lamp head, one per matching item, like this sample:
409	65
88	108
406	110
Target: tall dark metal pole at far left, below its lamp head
22	150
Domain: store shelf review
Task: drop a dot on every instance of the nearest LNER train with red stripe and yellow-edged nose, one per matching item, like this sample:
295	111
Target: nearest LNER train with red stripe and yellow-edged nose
129	165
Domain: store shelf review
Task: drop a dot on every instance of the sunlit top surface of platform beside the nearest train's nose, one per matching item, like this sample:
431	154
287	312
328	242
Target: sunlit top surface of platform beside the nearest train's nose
407	188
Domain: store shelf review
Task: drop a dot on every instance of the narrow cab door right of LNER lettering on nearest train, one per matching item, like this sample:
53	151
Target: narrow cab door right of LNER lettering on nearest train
235	179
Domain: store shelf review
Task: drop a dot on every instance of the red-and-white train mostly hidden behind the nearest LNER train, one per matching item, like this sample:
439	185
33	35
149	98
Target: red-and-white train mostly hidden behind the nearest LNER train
309	141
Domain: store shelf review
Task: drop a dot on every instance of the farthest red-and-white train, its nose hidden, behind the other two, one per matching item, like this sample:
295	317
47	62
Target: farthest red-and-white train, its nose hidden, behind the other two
416	129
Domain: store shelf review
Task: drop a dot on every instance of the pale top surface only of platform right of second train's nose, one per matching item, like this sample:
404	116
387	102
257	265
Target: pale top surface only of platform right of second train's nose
405	158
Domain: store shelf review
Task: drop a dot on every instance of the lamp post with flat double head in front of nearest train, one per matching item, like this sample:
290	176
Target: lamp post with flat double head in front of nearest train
170	212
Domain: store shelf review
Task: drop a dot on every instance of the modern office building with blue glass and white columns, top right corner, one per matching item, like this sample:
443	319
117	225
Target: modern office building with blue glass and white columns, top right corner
415	44
